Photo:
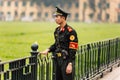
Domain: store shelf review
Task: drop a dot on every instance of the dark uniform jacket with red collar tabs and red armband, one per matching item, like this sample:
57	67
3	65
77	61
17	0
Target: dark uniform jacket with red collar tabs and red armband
65	39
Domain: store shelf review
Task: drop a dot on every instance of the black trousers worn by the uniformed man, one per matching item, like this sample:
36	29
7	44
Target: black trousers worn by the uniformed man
60	69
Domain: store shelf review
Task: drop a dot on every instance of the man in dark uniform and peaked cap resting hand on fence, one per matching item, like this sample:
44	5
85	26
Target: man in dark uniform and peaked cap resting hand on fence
64	47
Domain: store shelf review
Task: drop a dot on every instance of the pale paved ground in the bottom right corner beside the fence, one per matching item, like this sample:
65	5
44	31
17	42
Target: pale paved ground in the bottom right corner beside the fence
114	75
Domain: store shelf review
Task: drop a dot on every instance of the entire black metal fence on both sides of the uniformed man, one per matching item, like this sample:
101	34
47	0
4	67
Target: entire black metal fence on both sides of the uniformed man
91	60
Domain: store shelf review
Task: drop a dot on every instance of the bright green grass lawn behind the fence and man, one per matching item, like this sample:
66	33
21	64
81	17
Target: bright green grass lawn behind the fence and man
16	38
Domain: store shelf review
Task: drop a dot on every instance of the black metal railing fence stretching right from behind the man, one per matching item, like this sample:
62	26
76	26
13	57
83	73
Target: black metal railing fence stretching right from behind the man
94	58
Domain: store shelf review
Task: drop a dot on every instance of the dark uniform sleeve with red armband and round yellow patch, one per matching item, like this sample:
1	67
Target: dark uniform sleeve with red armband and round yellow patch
73	45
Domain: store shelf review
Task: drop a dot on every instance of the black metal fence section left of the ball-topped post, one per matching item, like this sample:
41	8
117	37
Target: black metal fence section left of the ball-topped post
20	69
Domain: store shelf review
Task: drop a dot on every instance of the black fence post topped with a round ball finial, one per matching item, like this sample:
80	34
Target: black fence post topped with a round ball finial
34	53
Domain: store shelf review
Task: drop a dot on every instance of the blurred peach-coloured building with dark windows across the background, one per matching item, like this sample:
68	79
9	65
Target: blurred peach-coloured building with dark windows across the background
83	10
